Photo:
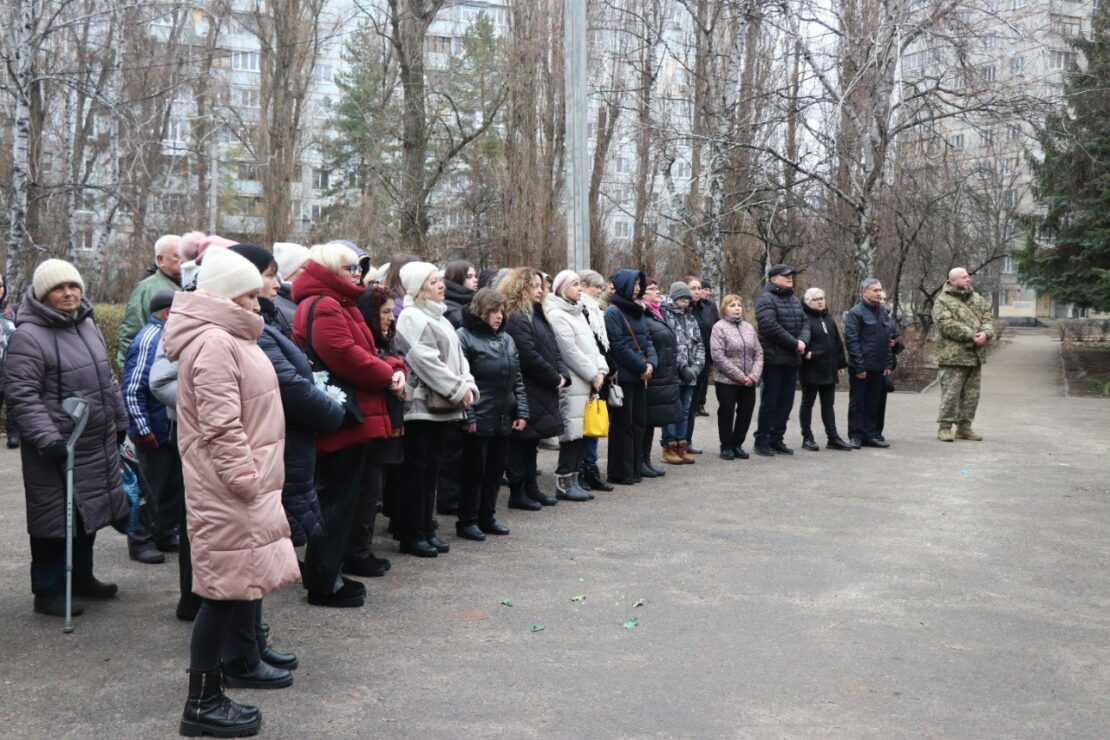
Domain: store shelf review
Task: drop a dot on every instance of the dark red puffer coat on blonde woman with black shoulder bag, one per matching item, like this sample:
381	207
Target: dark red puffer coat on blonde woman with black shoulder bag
342	340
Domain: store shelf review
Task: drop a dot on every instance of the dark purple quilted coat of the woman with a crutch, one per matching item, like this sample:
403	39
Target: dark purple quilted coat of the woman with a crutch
53	357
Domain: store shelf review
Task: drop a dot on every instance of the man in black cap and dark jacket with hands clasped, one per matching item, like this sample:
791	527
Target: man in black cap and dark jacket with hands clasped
784	334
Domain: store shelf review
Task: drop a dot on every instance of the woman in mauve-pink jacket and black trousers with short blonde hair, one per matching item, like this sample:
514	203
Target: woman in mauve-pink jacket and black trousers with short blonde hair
736	369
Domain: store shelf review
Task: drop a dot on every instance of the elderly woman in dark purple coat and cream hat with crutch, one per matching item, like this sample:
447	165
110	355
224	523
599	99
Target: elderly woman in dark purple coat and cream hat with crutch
57	352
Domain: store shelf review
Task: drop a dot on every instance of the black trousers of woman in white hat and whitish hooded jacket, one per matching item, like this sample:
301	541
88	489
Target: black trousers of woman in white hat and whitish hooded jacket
416	511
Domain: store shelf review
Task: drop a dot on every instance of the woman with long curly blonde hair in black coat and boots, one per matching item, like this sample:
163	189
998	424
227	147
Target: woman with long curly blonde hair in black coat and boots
544	377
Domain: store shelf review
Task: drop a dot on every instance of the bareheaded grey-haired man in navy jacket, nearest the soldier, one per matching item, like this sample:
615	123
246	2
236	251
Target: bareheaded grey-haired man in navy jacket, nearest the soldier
871	360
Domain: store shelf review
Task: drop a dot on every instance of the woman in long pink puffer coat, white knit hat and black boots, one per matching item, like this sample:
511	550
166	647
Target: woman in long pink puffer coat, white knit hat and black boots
231	433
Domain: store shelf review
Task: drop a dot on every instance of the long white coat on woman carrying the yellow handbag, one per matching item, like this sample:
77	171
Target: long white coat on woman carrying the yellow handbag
579	349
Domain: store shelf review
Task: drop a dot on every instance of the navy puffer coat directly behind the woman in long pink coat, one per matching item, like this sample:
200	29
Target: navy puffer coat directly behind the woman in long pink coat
309	412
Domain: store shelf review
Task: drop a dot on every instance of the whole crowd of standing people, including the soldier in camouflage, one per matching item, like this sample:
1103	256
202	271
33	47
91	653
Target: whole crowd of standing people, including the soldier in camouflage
276	401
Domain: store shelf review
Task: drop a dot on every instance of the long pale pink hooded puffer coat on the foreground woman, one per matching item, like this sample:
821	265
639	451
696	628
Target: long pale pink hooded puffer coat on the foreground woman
231	433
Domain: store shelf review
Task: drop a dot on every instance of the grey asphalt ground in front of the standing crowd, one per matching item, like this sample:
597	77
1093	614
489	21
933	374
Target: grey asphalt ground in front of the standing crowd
932	590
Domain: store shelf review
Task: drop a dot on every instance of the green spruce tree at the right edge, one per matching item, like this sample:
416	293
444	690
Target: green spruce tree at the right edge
1068	250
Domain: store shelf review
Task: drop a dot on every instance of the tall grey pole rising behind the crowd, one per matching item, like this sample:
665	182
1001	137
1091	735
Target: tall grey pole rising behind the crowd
577	192
